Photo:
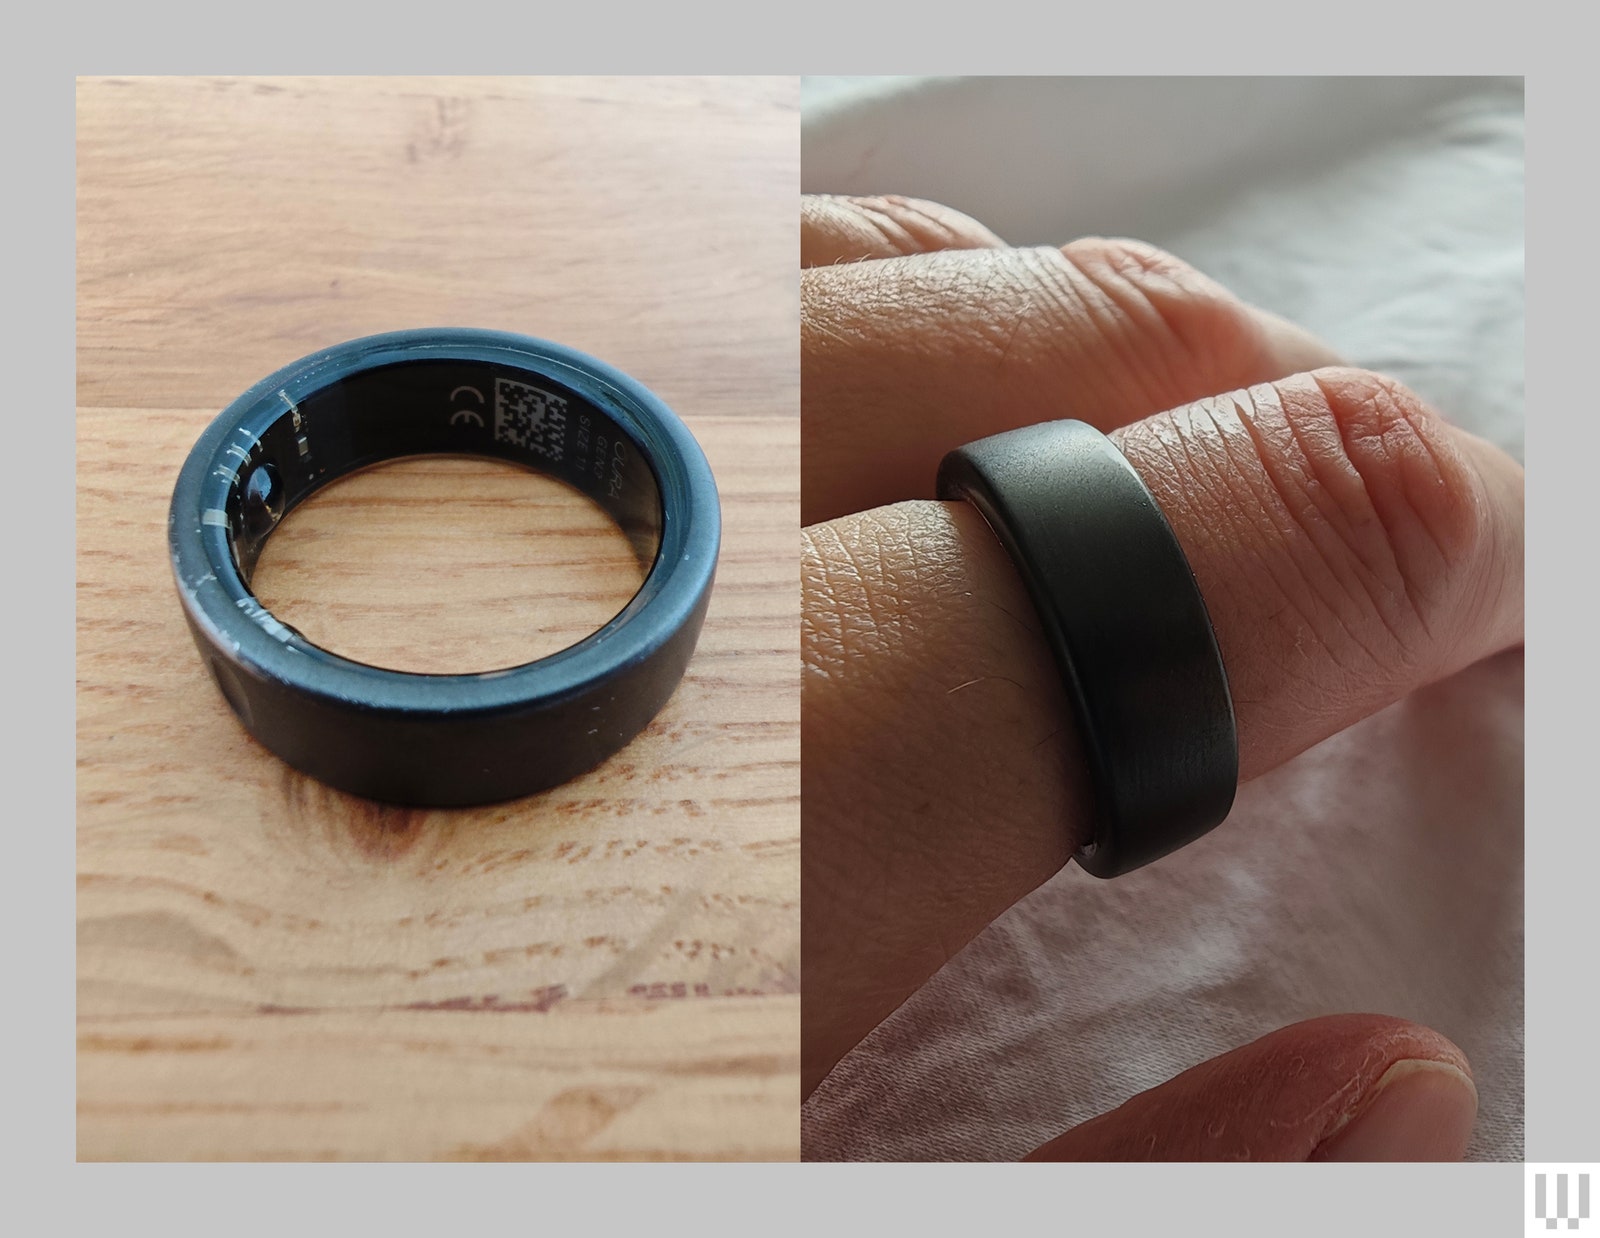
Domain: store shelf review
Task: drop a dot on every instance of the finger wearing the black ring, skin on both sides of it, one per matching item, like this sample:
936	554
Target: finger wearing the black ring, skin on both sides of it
1350	545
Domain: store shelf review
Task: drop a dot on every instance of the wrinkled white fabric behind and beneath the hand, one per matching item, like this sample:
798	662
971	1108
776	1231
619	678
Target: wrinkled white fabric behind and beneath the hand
1378	873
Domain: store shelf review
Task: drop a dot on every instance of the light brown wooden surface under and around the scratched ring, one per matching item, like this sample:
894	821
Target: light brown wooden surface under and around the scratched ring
274	970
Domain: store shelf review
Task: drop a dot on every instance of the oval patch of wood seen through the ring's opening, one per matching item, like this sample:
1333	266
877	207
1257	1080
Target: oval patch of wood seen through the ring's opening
530	567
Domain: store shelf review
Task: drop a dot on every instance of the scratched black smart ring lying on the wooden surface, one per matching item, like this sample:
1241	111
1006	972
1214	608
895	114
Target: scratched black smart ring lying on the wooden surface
446	740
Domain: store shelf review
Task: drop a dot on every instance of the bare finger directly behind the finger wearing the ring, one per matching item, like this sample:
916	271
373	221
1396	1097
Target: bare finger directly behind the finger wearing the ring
908	359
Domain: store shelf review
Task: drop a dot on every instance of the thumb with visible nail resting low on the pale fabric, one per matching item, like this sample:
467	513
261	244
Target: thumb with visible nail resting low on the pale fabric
1346	1088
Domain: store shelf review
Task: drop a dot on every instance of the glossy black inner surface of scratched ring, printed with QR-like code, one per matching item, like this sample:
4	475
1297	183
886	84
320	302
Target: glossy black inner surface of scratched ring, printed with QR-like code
439	407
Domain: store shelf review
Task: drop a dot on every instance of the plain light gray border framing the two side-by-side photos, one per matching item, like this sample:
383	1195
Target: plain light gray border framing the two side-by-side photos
1564	1074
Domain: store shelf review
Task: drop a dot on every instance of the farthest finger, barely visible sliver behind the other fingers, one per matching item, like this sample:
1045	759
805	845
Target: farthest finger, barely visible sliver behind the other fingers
836	230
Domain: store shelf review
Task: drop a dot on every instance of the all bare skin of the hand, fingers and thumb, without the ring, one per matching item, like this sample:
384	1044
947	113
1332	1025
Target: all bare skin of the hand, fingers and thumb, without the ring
1351	546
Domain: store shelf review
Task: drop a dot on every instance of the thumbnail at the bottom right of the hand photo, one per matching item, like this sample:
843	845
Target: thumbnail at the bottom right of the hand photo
1417	1112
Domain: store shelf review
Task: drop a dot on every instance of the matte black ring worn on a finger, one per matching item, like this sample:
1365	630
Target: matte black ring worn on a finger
1126	621
